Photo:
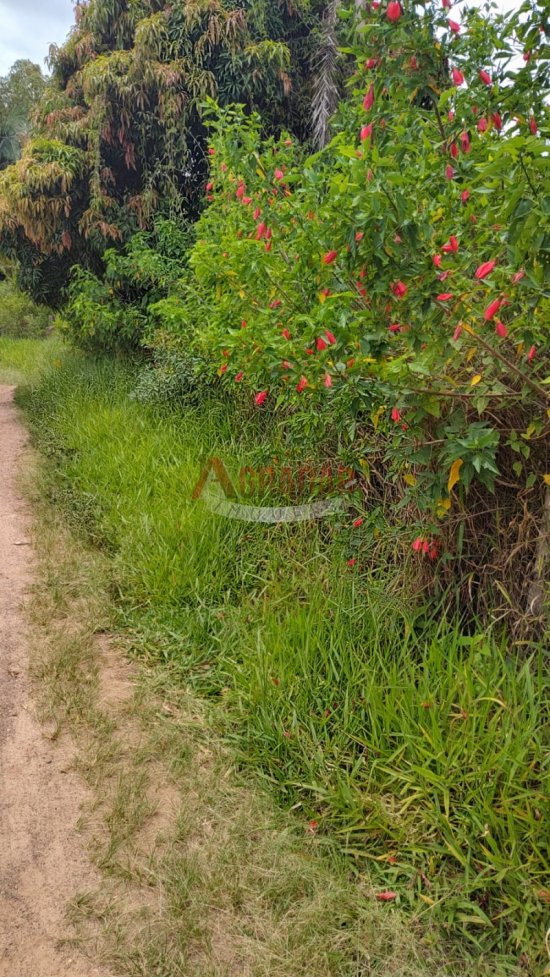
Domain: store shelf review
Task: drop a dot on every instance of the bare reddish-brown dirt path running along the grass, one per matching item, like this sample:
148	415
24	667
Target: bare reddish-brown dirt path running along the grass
42	864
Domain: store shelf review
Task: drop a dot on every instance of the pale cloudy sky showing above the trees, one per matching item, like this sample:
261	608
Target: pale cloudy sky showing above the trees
28	27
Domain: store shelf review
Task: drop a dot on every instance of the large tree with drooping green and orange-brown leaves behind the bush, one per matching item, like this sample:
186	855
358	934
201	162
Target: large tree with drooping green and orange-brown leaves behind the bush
125	105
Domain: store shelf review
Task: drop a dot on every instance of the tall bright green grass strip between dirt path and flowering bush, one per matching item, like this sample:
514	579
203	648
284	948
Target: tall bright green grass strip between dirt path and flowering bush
417	749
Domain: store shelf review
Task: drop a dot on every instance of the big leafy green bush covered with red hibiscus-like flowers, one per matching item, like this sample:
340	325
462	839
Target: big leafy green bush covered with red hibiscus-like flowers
390	293
